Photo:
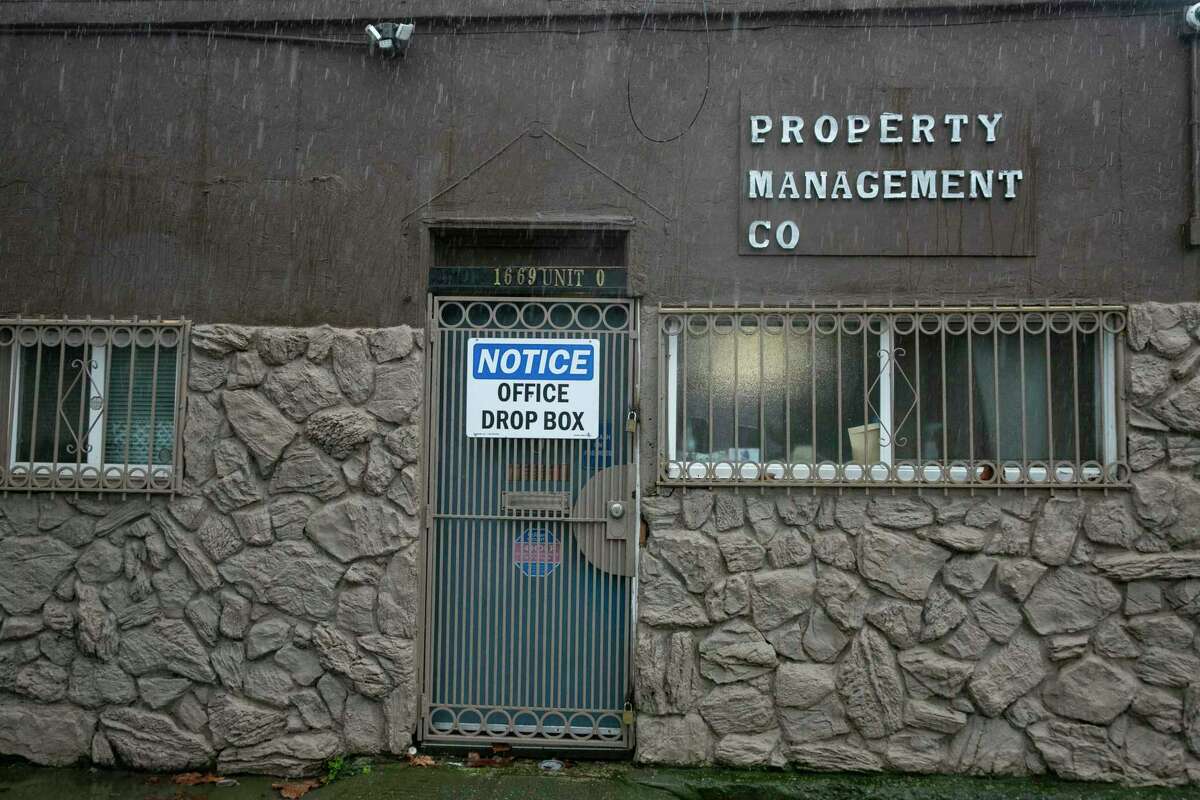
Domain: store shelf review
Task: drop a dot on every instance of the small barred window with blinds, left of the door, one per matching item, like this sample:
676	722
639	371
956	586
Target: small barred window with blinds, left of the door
91	407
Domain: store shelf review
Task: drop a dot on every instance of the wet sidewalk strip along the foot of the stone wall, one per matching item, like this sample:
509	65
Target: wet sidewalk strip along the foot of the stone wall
590	781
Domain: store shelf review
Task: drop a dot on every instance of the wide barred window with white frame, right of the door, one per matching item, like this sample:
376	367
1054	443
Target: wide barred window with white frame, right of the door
995	396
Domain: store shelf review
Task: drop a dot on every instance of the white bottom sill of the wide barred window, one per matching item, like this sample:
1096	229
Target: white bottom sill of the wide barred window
883	474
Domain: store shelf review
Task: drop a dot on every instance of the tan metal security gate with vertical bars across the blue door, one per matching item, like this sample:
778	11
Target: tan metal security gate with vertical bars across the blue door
531	545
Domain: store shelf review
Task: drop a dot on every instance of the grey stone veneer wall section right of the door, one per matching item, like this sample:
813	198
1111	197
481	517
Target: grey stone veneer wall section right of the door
985	635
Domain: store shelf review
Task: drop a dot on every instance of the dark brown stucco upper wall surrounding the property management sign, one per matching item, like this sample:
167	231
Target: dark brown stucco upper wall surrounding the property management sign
196	177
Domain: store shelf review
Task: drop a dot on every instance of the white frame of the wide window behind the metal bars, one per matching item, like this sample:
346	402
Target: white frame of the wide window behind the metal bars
868	474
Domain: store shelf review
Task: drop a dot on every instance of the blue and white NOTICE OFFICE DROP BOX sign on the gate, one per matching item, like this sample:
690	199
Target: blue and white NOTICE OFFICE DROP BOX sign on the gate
533	389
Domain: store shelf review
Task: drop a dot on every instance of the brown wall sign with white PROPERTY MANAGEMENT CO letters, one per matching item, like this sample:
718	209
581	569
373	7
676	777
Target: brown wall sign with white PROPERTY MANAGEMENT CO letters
886	172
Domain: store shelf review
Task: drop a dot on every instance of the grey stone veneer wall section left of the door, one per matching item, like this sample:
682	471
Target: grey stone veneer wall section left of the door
265	621
